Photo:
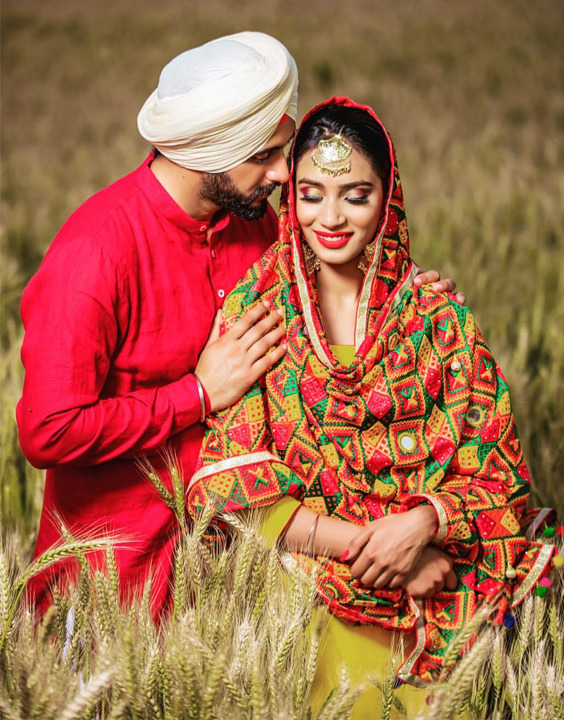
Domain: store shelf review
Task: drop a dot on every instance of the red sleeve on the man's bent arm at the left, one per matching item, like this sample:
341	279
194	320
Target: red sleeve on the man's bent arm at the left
71	312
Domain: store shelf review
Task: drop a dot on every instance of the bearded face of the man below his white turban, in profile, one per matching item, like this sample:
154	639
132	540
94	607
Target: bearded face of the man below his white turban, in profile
245	189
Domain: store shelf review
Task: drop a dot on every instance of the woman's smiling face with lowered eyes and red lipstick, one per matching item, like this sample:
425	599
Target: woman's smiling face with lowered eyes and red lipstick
338	215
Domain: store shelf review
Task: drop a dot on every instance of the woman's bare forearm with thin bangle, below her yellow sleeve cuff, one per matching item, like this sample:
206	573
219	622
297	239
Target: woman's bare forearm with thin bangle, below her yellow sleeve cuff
331	536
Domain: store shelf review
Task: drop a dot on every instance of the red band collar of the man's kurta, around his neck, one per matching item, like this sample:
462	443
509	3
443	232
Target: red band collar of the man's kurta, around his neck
165	205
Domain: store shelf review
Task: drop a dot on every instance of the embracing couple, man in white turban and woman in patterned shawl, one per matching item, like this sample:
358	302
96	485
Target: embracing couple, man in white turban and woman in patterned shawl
359	409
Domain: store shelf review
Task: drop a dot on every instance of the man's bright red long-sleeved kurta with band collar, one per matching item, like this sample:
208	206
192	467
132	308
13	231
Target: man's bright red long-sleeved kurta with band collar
115	320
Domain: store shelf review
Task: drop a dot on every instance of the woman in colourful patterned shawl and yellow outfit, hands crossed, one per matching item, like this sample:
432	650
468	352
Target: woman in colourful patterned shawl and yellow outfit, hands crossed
383	442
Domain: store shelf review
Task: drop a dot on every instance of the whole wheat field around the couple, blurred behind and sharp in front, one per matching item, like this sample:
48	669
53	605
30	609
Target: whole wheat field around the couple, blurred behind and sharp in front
473	95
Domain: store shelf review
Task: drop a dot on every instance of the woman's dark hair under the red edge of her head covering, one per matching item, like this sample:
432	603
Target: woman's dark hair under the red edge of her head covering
357	126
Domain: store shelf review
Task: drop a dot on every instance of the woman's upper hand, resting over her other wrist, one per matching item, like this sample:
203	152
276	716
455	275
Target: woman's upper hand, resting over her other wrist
386	550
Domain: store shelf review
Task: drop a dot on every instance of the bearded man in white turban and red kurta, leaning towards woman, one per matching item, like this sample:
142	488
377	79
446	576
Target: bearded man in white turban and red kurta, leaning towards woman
118	315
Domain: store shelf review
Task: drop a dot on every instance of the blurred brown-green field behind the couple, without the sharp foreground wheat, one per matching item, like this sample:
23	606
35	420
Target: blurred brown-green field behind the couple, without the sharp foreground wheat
471	91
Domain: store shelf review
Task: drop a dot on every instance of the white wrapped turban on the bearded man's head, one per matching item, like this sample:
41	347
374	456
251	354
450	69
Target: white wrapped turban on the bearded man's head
217	105
